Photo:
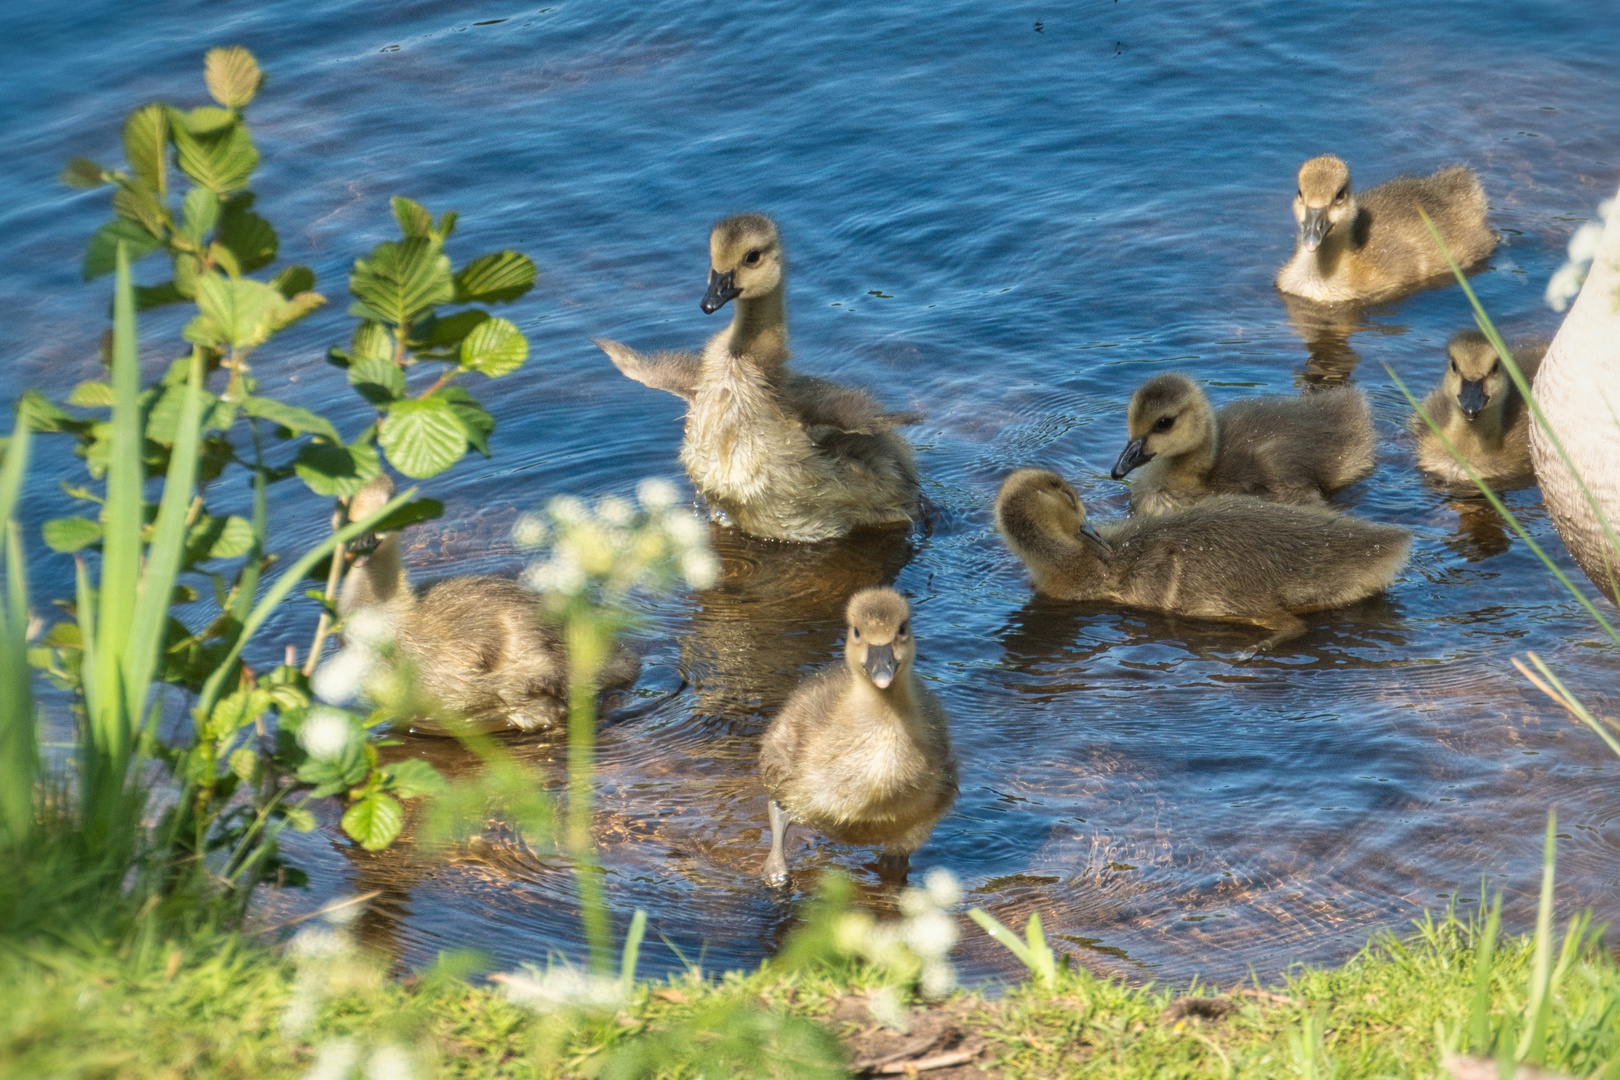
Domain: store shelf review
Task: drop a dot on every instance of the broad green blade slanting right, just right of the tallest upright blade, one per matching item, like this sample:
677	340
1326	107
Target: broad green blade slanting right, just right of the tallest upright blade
168	548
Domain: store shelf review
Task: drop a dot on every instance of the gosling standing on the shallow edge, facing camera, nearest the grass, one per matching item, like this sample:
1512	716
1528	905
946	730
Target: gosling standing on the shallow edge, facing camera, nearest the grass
861	752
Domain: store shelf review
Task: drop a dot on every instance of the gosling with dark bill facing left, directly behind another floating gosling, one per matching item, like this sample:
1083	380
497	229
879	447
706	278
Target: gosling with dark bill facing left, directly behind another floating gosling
1284	449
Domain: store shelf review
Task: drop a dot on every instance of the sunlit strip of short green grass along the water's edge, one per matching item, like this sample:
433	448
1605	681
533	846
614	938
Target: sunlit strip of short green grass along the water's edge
224	1006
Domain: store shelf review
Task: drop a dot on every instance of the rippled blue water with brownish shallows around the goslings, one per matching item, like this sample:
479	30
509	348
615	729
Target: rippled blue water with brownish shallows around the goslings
1000	215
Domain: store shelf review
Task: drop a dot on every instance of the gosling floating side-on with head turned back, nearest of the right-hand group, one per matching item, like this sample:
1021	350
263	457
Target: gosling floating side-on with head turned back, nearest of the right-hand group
1232	558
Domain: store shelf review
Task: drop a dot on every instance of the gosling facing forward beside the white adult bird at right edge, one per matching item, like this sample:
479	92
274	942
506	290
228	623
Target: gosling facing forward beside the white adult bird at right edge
1481	414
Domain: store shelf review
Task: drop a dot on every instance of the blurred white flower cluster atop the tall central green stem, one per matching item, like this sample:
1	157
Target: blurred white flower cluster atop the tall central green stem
603	553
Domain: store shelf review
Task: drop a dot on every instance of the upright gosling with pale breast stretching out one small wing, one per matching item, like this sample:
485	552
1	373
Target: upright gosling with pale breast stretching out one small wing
783	456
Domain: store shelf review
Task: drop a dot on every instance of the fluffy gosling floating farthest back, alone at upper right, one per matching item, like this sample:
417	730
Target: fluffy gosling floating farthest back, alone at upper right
1376	245
